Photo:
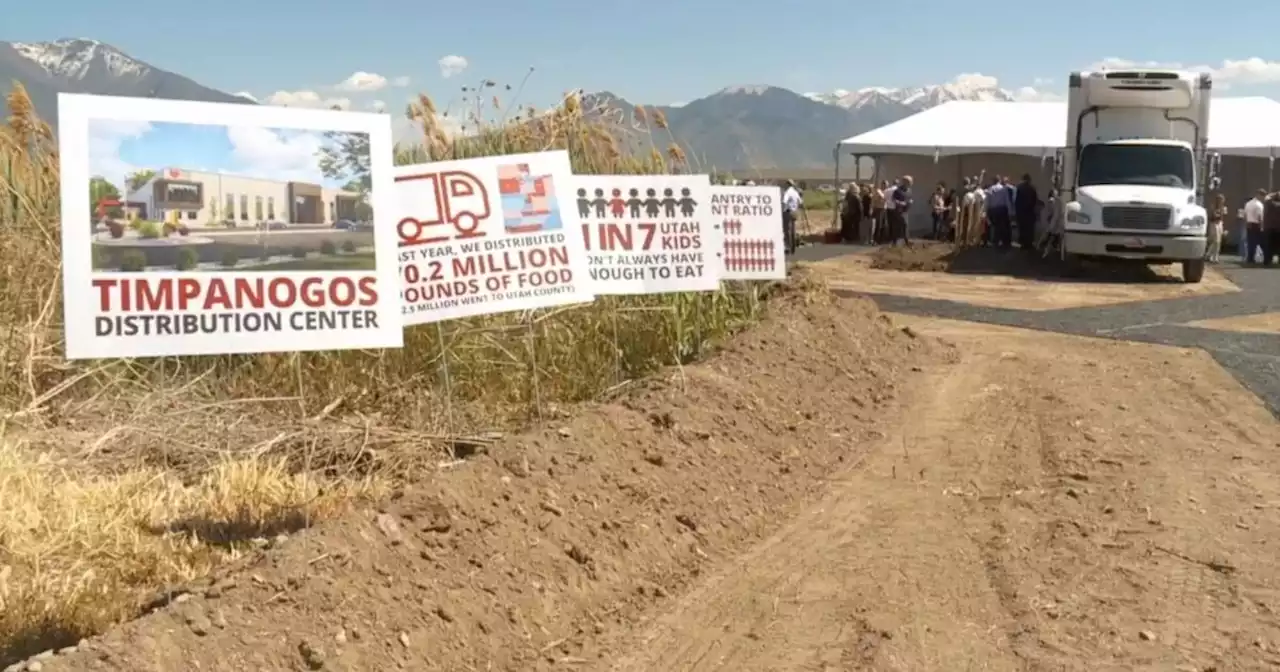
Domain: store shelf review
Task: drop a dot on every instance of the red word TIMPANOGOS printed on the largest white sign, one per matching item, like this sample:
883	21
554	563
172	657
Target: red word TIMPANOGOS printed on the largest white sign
157	295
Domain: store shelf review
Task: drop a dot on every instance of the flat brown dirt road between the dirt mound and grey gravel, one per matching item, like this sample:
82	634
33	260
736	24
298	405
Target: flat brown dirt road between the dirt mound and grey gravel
1050	504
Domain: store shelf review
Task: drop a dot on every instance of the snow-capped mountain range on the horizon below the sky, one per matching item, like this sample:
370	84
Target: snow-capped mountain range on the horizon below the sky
737	129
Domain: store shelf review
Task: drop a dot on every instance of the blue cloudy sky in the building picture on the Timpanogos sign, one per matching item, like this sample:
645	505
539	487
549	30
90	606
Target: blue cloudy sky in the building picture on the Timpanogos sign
120	148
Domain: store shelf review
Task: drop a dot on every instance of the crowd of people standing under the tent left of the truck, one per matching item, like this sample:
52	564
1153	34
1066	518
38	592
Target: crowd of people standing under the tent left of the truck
976	213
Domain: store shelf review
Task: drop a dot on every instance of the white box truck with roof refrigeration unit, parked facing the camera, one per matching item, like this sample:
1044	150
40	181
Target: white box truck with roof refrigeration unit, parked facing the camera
1136	172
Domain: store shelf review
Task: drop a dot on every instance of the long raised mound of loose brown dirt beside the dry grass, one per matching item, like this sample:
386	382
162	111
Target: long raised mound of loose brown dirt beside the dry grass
537	551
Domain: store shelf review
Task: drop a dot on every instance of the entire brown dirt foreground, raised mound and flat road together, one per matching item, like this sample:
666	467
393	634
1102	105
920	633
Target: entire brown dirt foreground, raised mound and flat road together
834	491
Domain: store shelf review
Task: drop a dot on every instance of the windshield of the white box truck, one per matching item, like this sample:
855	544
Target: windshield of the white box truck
1156	166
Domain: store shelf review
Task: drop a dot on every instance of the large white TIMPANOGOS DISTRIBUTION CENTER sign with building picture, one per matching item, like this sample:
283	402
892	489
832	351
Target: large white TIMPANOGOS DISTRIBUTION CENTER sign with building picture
200	228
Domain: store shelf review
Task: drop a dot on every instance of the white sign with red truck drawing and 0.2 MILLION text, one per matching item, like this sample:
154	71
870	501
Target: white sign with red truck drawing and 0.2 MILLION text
490	235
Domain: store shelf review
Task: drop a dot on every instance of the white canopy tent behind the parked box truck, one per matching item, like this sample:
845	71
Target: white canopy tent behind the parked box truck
963	139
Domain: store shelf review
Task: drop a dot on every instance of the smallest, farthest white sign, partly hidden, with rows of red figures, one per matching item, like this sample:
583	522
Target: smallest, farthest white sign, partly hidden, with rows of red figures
752	221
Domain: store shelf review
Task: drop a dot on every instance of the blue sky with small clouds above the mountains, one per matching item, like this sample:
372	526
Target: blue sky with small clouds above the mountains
653	52
